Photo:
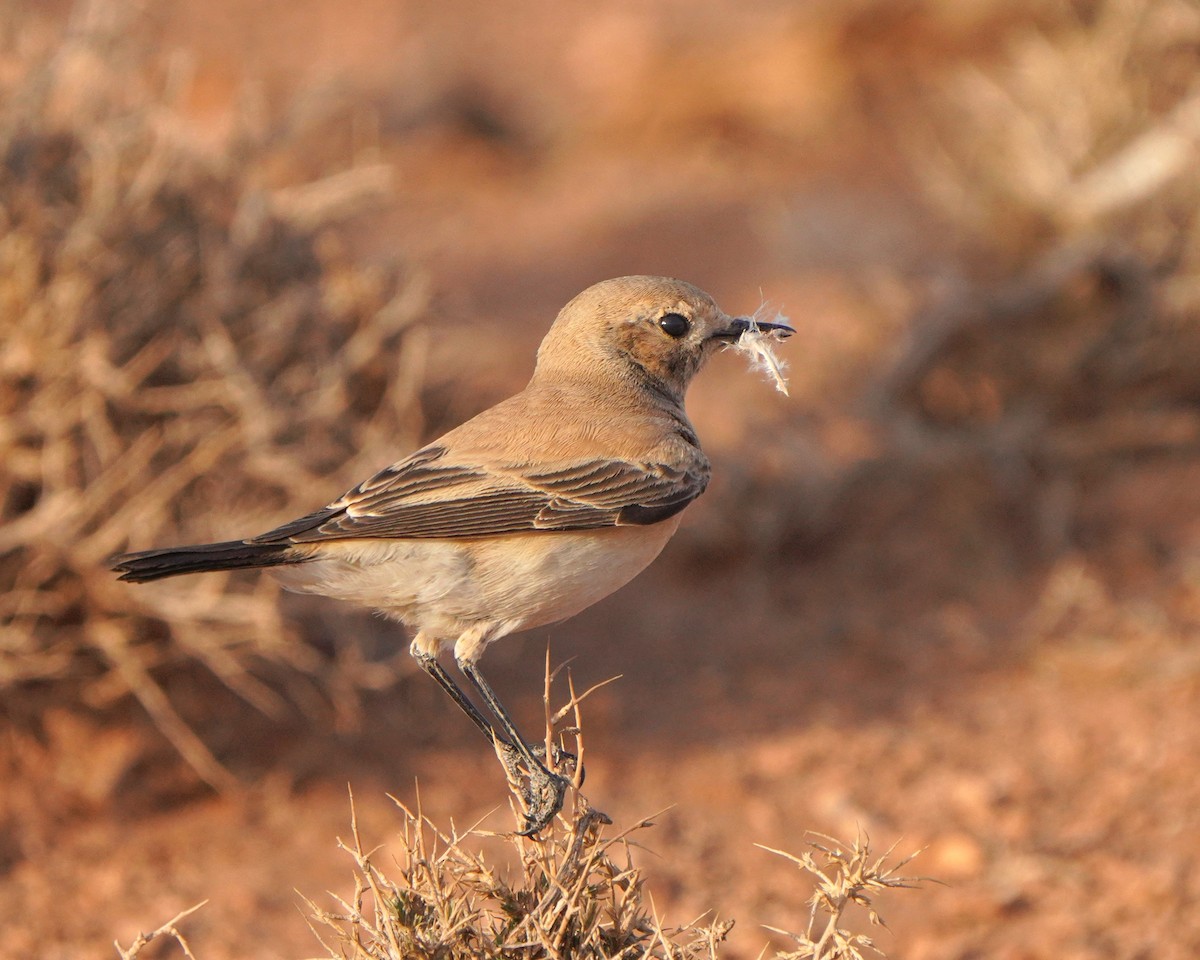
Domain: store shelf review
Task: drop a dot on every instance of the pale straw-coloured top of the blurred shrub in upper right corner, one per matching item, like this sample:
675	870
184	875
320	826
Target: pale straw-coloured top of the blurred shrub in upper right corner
1088	124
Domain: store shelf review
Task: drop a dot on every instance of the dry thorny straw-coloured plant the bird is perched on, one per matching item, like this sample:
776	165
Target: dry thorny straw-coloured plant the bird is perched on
575	893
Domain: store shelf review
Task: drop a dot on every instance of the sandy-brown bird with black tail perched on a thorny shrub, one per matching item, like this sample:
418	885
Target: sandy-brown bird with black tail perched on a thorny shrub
524	515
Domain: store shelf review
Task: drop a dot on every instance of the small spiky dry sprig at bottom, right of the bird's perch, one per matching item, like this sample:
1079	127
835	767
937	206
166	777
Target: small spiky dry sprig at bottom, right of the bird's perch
848	877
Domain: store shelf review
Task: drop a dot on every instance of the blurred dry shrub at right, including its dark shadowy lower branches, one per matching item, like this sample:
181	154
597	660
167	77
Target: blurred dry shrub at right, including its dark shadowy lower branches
1058	339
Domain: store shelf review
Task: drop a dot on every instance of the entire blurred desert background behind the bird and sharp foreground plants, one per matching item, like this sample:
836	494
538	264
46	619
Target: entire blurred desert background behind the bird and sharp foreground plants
947	593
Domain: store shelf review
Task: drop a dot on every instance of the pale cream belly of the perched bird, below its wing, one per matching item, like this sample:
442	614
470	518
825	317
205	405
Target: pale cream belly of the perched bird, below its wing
446	587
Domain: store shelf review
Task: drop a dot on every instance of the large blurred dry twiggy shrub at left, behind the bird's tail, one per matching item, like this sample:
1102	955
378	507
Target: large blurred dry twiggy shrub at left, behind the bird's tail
175	334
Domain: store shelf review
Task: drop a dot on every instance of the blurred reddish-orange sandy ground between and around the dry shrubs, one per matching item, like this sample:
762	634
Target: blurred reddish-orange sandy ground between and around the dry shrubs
914	670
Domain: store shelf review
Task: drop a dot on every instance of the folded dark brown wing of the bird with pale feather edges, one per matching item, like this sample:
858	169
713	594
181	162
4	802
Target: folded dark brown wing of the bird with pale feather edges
427	496
